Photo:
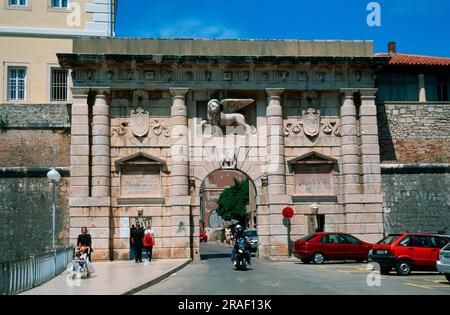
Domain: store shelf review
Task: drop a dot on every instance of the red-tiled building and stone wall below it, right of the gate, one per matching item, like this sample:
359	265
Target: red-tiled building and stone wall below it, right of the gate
414	119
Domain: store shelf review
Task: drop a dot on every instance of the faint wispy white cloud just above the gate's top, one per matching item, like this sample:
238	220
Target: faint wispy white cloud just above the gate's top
194	28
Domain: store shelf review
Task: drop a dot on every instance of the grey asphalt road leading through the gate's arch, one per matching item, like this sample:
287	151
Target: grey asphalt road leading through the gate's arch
215	275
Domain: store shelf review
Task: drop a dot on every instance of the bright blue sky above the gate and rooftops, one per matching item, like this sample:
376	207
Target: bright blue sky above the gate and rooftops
418	26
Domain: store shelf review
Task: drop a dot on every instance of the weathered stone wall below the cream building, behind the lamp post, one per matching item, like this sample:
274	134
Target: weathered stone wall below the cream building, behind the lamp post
33	138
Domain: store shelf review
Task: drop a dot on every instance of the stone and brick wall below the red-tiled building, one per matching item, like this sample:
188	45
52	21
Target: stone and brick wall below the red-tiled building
415	151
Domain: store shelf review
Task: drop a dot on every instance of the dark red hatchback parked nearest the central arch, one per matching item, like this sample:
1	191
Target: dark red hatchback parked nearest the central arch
320	247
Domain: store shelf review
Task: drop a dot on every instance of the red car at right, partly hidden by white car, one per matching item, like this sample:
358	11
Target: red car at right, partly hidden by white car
408	252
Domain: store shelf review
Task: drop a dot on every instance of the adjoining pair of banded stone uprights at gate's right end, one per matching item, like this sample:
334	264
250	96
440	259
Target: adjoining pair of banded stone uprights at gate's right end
361	166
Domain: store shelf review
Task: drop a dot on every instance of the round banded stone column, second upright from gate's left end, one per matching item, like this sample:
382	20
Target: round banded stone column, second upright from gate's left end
101	148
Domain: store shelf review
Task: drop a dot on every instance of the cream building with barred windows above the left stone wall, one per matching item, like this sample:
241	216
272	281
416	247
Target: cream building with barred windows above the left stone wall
32	32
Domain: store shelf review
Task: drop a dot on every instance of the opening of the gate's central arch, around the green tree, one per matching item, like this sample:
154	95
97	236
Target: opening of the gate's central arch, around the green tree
214	229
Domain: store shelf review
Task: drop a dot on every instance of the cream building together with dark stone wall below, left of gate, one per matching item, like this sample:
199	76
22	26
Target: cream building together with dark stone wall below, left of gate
35	115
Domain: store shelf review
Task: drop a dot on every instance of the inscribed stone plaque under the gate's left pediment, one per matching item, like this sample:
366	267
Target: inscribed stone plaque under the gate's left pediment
139	181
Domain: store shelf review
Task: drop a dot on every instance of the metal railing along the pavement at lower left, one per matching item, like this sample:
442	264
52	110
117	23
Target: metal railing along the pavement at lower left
19	276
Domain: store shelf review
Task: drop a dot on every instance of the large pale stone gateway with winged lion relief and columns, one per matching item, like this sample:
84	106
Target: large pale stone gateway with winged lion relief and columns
149	127
